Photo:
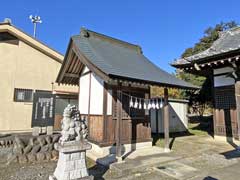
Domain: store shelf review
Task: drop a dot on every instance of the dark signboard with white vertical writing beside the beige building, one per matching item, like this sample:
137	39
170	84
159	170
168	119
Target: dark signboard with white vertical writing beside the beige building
43	109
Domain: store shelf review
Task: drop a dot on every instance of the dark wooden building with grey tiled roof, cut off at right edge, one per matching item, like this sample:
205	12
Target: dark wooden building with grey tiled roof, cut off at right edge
221	63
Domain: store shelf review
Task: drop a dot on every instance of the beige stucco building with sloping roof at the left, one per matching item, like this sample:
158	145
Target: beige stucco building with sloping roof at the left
27	66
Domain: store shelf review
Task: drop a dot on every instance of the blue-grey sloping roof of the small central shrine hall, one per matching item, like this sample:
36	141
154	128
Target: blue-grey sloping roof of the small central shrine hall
121	59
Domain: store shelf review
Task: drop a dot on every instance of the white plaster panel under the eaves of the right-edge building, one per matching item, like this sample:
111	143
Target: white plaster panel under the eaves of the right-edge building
222	80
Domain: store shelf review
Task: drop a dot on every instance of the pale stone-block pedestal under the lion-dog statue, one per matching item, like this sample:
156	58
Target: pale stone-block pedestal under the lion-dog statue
72	161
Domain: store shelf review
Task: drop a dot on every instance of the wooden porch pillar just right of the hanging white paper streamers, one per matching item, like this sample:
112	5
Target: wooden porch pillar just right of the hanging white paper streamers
166	121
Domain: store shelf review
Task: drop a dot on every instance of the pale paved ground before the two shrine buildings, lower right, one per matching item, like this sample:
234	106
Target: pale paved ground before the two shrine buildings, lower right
191	158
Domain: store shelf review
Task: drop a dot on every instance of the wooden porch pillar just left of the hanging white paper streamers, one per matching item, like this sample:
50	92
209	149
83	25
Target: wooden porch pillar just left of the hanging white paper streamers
119	124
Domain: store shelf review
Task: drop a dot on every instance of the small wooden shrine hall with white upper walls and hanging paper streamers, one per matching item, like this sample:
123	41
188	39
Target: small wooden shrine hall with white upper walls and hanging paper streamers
114	79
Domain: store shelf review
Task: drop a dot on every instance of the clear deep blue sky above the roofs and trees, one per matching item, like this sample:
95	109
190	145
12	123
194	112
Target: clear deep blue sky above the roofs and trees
162	28
